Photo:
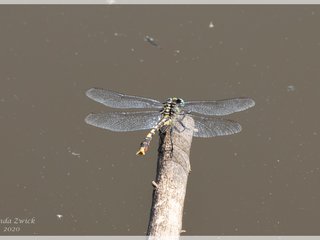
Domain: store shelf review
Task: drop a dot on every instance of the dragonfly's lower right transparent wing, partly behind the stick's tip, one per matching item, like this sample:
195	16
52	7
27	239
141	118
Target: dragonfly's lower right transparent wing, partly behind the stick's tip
211	127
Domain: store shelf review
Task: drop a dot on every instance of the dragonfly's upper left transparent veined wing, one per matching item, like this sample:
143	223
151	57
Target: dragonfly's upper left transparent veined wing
118	100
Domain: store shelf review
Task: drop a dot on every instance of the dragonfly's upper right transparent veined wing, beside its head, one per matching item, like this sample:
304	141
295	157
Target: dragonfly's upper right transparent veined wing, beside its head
219	107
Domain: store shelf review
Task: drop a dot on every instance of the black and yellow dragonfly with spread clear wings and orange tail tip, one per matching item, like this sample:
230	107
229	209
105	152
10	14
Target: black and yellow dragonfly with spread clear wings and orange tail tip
156	115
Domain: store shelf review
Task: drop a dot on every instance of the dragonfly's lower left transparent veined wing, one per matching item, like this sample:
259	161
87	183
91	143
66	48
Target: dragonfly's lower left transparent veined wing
124	121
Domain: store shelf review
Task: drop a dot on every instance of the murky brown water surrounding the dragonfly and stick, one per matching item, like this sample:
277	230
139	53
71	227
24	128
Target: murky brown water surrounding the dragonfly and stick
76	179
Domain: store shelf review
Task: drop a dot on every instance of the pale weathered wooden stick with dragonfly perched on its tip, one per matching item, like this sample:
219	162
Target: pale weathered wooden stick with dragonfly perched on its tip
171	181
